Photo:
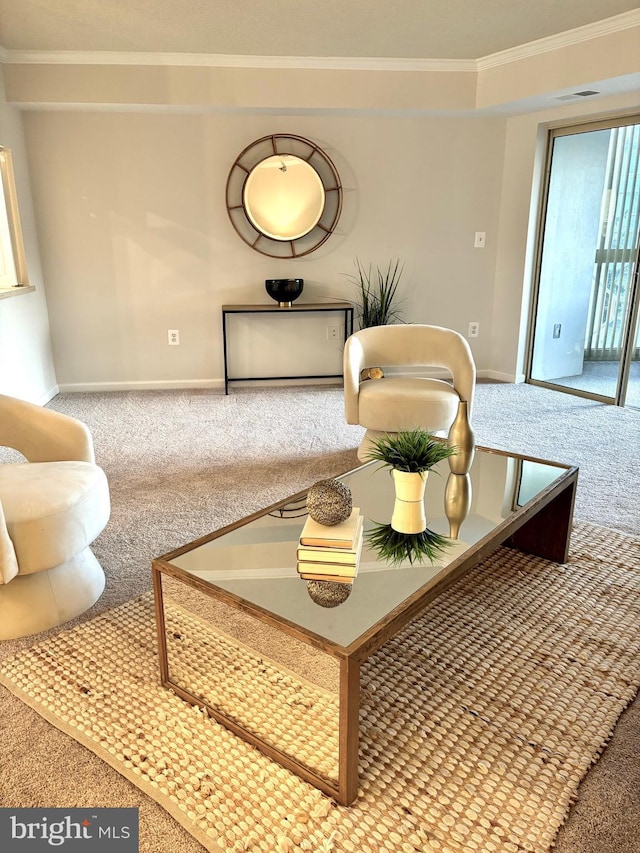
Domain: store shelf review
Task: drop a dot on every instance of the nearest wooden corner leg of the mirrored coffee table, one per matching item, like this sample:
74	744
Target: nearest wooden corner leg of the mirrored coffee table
349	729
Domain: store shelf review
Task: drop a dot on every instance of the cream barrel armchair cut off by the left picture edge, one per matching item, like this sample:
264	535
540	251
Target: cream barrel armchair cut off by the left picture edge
52	507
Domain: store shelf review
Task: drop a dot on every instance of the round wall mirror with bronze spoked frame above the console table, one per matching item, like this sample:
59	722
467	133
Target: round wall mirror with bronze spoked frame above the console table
284	196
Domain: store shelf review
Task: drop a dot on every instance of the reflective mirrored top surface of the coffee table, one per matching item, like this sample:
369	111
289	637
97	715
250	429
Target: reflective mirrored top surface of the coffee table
257	561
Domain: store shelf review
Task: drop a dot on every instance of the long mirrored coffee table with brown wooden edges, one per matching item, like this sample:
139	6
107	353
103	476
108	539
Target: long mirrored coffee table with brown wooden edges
242	635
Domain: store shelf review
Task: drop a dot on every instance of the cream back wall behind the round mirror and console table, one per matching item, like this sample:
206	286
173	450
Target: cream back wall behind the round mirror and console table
135	237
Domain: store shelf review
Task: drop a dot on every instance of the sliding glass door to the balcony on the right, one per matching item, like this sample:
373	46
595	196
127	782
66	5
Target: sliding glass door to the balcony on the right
586	329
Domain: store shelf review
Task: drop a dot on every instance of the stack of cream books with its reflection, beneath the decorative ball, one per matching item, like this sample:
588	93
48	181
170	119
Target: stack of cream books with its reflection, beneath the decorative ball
331	553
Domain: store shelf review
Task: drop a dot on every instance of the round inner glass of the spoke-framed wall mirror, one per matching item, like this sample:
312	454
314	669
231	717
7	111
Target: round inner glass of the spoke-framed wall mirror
284	197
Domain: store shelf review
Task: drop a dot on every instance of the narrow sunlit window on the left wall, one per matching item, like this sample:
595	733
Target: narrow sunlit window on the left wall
13	269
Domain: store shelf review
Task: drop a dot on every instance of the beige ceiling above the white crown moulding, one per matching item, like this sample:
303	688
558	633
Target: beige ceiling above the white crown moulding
411	29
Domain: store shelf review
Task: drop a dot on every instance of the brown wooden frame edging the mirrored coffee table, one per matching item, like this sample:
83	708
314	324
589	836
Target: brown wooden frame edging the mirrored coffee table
542	527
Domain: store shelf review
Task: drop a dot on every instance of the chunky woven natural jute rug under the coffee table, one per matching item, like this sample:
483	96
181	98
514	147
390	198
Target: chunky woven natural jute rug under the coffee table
478	721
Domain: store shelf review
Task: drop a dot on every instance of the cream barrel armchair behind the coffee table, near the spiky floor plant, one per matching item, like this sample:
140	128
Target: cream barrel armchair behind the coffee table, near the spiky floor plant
403	401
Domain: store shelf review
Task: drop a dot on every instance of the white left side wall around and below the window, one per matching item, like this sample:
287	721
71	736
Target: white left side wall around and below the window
26	364
